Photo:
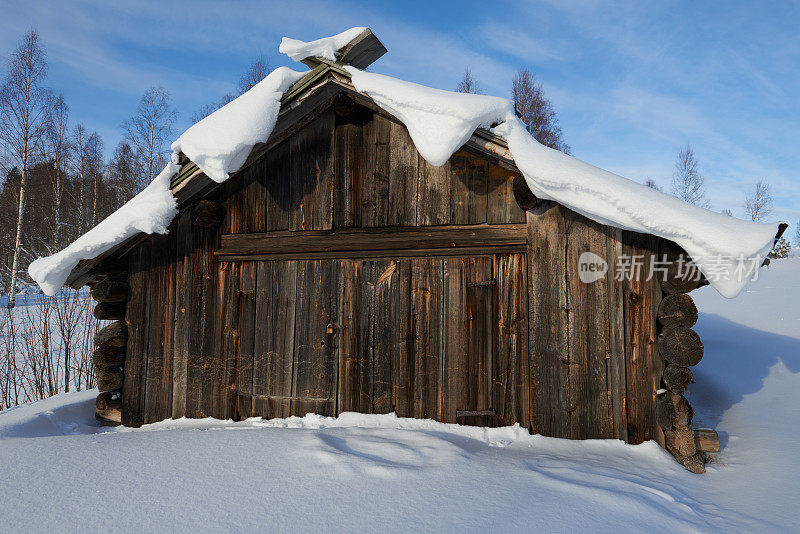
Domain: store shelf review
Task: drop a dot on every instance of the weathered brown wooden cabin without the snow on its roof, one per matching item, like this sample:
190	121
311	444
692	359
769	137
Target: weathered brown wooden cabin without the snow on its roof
338	271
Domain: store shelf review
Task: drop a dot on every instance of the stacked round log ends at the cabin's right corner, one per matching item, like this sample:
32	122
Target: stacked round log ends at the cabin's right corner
681	348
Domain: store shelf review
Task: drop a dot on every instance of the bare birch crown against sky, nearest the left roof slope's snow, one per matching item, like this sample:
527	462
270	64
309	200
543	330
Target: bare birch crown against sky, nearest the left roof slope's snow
149	131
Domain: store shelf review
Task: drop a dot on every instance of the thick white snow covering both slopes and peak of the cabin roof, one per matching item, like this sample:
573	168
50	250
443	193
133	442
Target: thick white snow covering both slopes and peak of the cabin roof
439	123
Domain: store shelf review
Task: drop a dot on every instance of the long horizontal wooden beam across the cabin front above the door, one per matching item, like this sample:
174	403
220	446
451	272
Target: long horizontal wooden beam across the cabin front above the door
375	242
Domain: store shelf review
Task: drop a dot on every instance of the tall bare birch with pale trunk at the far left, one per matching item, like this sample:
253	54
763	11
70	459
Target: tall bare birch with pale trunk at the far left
24	120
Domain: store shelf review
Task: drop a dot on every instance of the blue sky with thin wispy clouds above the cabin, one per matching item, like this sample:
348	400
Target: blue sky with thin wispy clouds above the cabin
632	82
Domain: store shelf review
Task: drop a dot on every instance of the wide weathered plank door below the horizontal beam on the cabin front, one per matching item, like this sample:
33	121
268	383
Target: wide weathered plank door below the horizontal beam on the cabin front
438	337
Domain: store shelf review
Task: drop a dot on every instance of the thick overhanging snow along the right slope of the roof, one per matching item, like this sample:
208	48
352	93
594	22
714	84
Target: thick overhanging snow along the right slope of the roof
728	251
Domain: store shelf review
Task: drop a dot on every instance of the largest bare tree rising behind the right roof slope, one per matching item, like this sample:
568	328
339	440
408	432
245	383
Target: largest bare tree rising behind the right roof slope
536	111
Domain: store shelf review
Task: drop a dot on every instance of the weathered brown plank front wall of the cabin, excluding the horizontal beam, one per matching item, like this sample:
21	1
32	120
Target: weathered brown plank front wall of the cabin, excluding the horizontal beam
508	334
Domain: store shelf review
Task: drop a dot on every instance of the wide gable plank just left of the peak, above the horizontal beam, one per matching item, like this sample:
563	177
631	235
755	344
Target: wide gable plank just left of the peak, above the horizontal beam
311	176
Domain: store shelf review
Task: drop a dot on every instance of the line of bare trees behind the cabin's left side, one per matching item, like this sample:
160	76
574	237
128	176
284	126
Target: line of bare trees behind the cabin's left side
57	183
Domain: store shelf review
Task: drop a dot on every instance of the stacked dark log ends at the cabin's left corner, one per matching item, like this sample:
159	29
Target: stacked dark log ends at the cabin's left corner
110	290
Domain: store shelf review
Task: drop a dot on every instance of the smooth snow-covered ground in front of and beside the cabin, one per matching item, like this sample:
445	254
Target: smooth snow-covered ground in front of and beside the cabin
367	473
